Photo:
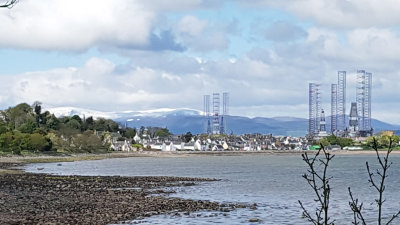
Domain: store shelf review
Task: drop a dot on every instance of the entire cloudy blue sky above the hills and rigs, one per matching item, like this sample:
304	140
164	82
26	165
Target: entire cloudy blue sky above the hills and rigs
114	55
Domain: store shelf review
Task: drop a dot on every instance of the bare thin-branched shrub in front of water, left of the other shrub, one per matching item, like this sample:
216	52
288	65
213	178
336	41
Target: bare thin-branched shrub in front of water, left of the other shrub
318	180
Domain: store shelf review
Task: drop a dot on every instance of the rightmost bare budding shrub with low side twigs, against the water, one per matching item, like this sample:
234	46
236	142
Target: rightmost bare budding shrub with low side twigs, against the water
377	183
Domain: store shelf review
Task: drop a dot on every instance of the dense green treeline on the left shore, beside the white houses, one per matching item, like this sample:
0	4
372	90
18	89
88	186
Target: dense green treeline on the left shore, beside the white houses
27	128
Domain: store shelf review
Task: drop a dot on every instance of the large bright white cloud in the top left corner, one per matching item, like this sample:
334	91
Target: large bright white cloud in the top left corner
78	25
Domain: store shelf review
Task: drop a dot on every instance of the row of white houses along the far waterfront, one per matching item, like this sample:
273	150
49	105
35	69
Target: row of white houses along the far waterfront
249	142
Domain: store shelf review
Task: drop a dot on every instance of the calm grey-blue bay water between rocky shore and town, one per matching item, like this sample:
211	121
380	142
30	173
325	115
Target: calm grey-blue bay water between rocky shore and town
274	182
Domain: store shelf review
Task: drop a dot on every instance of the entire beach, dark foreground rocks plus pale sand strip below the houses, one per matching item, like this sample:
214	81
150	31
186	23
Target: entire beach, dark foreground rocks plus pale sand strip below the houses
31	198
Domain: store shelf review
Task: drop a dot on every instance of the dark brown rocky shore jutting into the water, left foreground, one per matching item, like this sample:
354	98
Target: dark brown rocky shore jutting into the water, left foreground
46	199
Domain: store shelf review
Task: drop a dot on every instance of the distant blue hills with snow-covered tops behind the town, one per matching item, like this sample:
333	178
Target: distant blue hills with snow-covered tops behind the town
180	121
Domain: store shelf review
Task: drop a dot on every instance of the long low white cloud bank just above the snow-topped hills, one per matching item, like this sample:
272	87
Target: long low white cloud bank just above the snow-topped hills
96	85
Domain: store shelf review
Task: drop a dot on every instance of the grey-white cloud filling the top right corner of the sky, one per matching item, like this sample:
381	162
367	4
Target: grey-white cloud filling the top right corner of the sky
339	13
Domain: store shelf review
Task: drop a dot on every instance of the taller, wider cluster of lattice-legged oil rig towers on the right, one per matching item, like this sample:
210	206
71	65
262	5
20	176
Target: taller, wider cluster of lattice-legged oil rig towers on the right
359	117
